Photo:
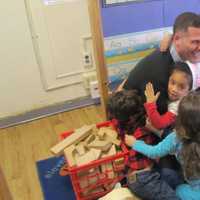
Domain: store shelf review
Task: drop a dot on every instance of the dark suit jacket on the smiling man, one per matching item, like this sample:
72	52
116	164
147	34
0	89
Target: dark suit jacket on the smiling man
154	68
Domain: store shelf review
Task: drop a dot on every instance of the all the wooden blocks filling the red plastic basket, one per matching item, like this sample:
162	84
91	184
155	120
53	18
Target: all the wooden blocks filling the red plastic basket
88	144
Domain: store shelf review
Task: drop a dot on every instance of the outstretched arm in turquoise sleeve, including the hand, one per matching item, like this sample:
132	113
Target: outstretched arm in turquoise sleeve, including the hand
163	148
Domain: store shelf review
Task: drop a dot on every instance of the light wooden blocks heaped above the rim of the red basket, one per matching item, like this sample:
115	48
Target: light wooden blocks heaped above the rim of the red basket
87	144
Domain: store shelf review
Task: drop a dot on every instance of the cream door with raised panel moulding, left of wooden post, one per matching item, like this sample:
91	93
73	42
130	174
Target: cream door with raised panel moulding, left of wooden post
59	30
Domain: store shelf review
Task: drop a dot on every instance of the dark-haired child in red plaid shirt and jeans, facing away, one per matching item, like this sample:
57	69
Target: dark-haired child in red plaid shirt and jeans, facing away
143	177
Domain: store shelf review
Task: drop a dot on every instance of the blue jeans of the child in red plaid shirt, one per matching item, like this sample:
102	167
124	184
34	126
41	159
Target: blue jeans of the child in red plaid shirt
150	186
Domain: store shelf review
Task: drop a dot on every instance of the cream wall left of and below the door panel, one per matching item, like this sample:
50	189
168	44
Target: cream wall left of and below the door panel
20	82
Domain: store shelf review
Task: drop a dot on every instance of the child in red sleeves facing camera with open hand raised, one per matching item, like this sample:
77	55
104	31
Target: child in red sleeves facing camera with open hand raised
179	84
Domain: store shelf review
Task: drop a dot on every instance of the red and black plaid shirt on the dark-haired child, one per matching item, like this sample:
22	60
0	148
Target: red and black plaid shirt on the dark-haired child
136	160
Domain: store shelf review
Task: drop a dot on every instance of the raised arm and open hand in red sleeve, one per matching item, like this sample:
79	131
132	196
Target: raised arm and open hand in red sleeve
157	120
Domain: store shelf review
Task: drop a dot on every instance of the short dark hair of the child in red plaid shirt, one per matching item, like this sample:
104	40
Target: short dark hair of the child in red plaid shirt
127	107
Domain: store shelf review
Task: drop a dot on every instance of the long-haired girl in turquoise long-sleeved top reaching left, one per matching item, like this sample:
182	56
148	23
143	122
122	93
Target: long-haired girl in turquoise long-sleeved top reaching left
184	143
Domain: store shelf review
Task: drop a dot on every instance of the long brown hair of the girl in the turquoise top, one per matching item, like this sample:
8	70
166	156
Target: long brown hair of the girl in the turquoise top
188	130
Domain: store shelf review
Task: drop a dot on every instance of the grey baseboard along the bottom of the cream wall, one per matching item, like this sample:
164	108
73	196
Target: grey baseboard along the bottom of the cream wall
47	111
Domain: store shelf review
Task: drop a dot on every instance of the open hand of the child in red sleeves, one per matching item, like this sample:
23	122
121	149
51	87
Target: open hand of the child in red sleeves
149	93
